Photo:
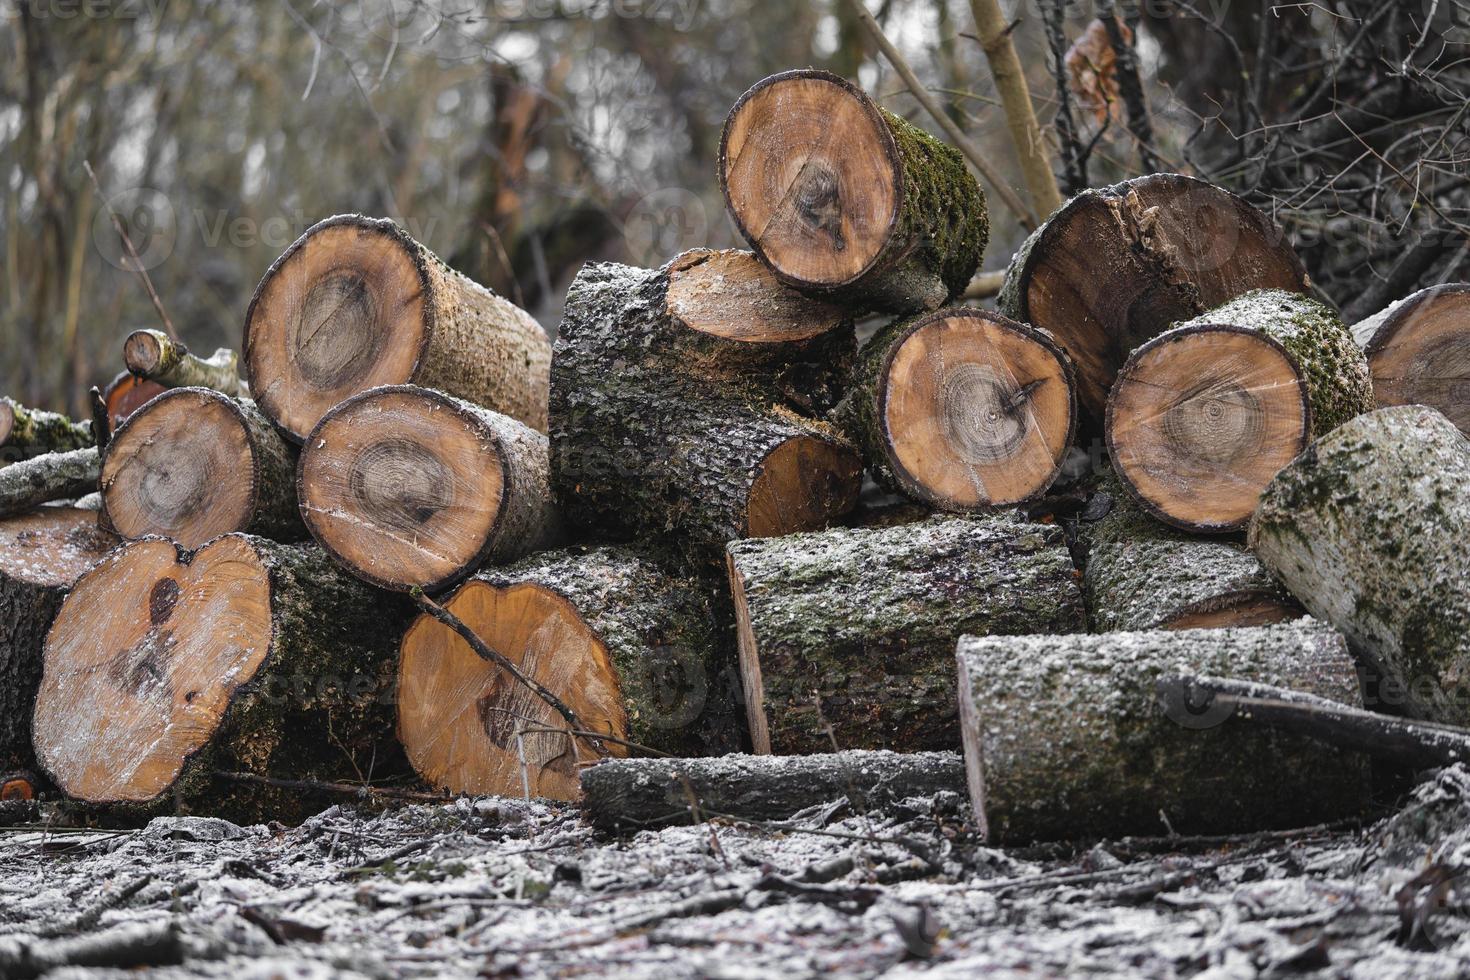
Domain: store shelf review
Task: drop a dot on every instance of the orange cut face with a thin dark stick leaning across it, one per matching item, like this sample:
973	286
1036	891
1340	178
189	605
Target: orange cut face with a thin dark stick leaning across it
467	724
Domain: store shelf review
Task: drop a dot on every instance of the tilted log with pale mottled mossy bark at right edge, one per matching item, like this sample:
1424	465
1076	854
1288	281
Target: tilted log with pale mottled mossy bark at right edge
1369	531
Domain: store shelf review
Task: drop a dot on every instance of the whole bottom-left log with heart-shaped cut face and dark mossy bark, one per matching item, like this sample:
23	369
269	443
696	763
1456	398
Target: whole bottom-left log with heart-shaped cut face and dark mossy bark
248	656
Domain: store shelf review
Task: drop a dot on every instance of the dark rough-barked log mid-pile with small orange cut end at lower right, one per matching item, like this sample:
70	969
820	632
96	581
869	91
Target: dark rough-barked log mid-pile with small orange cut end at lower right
650	439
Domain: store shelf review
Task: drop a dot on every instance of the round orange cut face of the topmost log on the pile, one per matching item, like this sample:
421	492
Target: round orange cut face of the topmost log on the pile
812	176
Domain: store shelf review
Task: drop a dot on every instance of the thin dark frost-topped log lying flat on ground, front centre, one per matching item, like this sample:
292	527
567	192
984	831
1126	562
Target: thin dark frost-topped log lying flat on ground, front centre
633	794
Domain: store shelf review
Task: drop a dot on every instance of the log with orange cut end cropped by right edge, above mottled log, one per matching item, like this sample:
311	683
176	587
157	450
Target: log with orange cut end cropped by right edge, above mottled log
1419	352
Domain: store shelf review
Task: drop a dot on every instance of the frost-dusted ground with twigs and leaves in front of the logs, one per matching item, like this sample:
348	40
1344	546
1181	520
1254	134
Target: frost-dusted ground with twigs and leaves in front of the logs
505	888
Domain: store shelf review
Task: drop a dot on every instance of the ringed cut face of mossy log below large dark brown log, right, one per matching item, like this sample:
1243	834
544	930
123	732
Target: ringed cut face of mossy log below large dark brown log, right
1202	419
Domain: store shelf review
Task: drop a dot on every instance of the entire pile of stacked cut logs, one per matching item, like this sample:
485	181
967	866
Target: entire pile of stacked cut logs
405	534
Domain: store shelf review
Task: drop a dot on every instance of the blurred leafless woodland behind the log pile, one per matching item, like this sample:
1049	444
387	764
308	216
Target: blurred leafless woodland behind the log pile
521	139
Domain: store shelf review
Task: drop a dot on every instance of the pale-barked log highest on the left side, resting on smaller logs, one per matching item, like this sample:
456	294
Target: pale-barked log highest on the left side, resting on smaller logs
356	303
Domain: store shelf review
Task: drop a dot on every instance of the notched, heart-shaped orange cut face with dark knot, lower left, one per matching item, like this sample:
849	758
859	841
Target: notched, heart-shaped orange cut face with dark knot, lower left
158	677
